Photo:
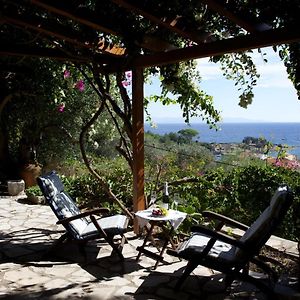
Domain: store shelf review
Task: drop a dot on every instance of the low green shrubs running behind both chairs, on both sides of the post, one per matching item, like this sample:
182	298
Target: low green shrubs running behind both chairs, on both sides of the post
241	193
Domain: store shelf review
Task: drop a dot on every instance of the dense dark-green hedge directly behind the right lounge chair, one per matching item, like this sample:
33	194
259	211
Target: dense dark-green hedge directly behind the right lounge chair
243	194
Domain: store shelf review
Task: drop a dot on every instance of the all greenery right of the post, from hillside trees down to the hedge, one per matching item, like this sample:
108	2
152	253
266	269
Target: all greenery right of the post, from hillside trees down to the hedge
240	192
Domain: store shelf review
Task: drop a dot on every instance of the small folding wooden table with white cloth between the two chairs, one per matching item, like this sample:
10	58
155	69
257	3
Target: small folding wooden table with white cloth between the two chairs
145	217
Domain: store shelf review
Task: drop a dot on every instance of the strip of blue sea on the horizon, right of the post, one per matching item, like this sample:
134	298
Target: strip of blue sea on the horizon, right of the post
277	133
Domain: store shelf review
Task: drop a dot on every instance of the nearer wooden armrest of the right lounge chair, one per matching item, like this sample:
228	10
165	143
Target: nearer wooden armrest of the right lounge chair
216	235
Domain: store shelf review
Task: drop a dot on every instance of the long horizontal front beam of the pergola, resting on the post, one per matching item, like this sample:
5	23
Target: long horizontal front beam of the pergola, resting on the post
113	64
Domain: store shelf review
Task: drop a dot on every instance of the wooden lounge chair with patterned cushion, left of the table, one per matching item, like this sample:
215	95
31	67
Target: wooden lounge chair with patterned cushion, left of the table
81	226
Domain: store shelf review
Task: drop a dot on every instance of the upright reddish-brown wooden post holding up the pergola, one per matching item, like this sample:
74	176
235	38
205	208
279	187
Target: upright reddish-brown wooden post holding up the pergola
138	141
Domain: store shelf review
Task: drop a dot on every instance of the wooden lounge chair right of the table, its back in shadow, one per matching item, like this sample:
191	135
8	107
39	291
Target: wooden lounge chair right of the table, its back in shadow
217	250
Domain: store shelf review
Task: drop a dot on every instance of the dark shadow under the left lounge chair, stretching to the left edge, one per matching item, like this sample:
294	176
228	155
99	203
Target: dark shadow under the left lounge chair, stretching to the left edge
31	247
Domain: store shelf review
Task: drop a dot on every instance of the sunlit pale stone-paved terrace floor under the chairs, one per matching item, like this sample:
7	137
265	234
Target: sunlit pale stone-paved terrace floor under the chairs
27	231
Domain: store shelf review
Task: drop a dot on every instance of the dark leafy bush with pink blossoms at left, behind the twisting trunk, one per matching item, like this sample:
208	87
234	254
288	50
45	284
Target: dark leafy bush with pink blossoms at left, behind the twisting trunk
48	110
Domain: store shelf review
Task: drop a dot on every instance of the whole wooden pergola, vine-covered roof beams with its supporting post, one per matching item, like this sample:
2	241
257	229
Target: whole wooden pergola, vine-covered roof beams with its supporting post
115	39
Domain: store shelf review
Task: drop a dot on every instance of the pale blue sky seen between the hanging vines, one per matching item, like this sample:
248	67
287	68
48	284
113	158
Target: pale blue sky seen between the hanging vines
275	99
